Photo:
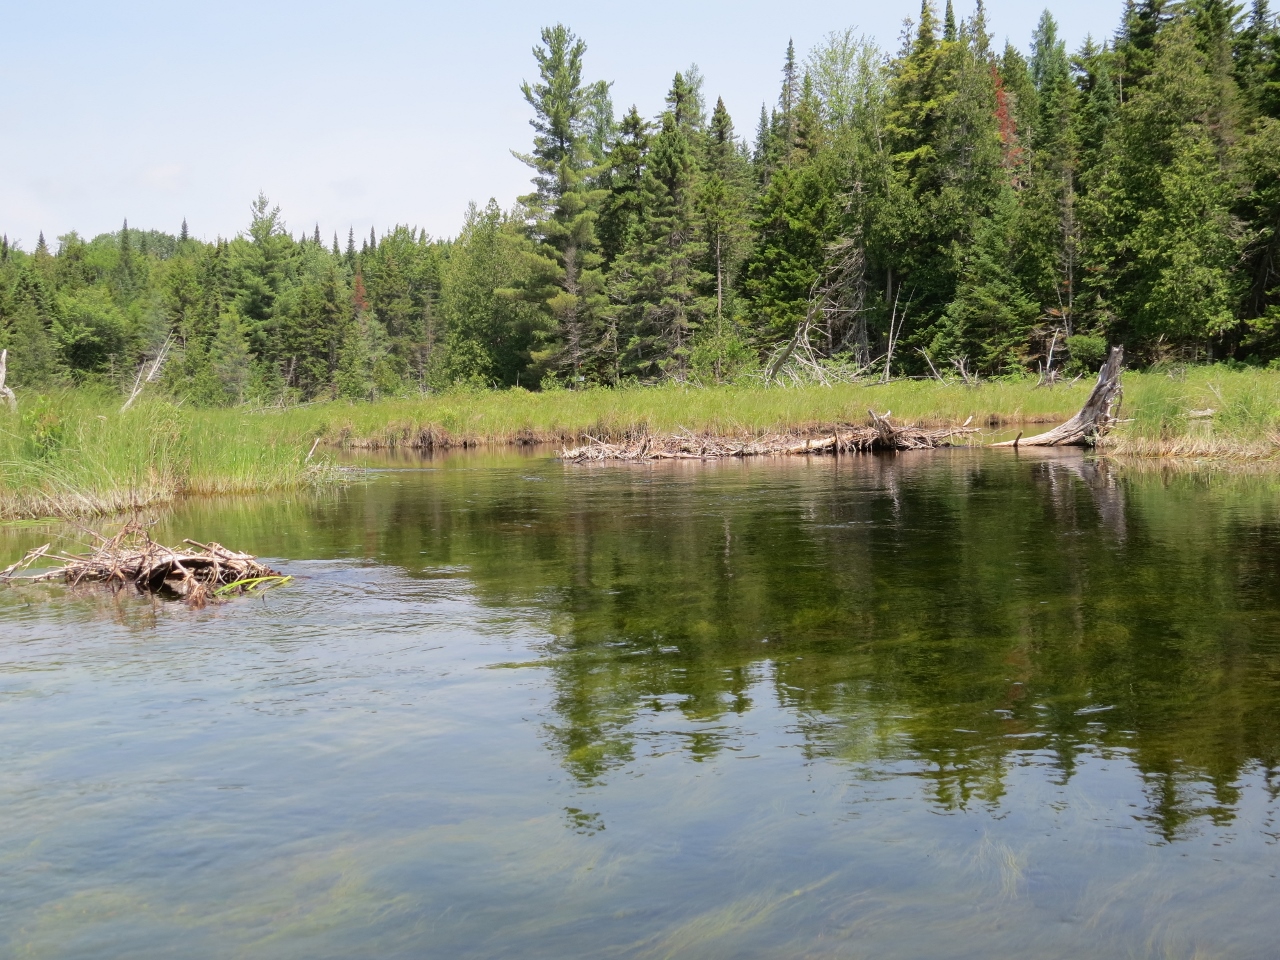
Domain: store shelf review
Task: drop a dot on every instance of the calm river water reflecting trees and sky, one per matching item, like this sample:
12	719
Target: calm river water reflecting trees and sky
954	706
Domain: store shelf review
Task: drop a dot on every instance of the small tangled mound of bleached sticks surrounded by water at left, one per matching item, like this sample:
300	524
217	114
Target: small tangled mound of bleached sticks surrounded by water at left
198	574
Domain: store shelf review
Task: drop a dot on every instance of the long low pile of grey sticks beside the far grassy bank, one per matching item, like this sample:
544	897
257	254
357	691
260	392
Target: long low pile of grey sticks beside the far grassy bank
880	436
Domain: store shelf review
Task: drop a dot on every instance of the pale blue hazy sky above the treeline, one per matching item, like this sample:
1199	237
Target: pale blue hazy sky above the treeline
362	116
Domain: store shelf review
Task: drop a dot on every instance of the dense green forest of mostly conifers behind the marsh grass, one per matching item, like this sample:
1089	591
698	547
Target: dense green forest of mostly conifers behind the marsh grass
953	207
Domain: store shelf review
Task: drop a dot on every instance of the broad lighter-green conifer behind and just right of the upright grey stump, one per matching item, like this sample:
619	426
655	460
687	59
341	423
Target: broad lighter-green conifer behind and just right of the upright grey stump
1160	243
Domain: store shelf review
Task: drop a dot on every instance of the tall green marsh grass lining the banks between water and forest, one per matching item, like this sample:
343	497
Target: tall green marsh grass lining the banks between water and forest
74	454
